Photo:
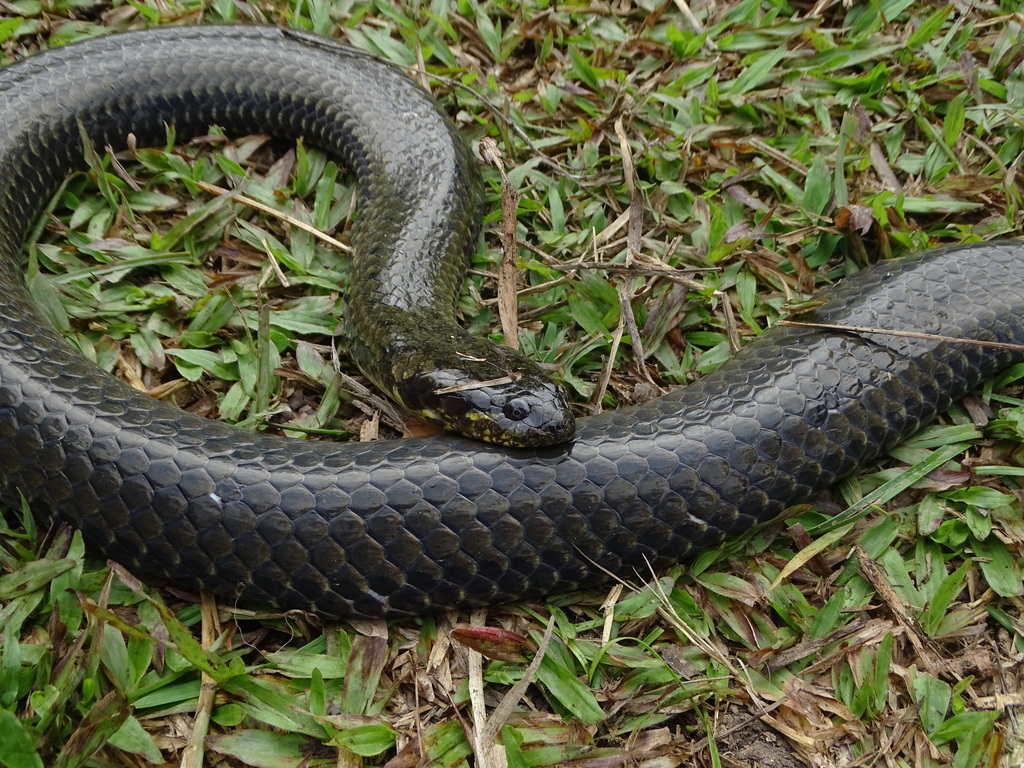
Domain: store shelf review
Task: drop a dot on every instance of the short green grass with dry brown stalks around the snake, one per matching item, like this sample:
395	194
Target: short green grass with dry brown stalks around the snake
772	151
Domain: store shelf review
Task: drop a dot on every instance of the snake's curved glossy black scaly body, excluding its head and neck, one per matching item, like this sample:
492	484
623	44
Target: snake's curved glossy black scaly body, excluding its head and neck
408	527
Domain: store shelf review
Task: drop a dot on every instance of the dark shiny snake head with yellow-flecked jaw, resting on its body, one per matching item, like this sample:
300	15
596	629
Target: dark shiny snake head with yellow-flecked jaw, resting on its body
503	399
